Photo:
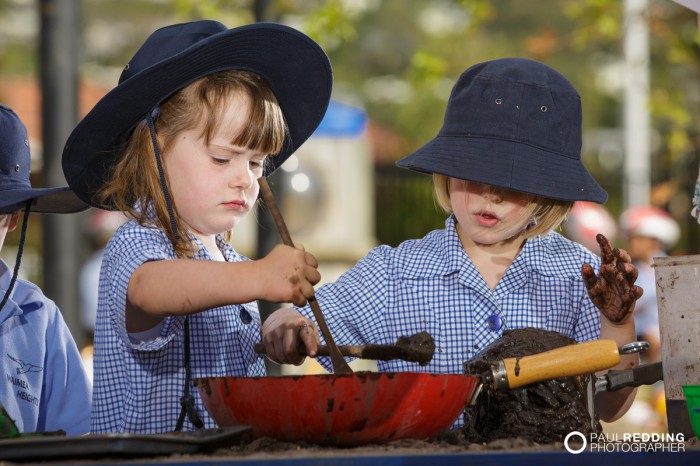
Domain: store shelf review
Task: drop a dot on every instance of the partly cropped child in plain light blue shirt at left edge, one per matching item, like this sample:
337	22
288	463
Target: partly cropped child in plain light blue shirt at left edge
46	388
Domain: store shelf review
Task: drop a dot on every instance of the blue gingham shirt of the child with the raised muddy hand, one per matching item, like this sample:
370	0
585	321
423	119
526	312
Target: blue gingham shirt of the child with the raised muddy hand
431	285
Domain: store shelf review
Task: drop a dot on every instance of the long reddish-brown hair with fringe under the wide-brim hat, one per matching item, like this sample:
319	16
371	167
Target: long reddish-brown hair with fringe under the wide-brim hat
201	102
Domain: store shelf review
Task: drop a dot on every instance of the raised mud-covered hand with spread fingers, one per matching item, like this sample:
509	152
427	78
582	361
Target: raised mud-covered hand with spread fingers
612	291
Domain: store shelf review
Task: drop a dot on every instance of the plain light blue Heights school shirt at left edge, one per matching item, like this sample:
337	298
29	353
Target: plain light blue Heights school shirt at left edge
44	384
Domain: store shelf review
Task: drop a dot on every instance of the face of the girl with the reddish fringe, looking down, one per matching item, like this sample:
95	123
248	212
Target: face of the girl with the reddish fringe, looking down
214	186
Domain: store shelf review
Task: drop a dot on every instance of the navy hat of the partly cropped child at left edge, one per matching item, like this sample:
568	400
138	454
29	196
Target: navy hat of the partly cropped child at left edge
15	187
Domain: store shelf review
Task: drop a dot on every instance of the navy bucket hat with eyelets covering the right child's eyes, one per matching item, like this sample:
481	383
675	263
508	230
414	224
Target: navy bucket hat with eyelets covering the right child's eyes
513	123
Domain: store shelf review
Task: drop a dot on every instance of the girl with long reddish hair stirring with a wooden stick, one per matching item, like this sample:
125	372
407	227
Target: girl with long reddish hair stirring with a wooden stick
200	113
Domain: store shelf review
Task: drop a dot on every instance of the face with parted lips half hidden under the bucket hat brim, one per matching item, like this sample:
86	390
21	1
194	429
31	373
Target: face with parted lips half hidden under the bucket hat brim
488	215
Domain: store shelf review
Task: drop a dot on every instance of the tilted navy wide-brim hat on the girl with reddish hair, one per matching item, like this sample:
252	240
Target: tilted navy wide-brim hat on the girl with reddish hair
293	65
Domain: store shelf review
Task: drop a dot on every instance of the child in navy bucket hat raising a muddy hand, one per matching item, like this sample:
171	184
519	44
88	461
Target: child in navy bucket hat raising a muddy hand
506	166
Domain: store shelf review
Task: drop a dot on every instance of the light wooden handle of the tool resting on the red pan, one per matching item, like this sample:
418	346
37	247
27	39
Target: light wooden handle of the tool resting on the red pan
577	359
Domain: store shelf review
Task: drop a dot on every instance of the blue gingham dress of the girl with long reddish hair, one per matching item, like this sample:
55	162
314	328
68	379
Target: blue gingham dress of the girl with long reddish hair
138	385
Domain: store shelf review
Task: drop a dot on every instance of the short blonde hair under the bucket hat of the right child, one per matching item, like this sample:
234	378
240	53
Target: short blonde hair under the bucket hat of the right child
547	214
